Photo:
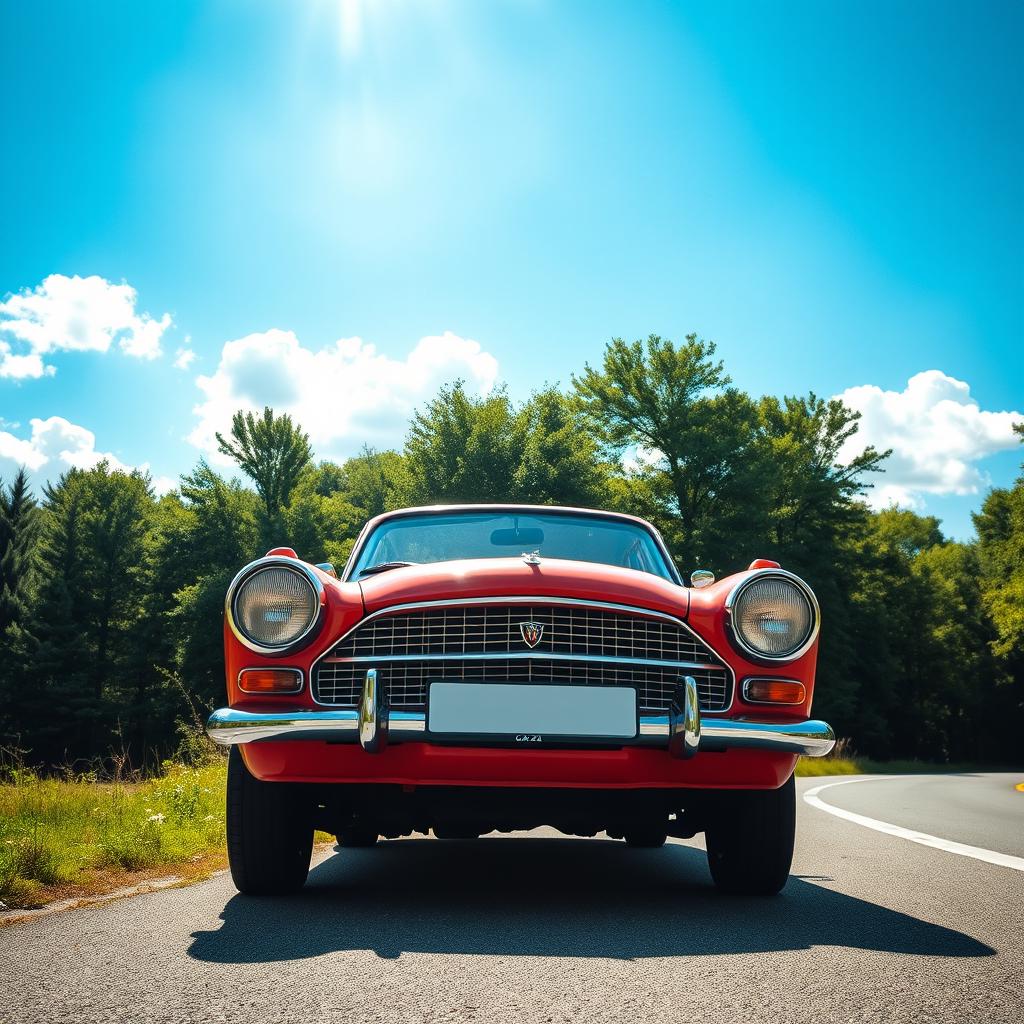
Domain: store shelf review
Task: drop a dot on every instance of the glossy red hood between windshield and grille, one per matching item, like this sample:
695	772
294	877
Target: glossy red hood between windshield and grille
513	577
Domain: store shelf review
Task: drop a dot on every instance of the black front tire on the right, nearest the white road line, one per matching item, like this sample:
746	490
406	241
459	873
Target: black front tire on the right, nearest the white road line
750	840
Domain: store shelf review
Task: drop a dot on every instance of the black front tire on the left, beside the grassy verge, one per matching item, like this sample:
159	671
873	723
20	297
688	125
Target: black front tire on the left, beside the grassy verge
270	833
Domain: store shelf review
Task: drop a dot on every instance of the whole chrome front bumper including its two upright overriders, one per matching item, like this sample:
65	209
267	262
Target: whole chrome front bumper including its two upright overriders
374	726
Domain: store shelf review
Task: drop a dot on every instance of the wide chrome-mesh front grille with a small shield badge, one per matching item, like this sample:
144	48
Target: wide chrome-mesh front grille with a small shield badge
579	646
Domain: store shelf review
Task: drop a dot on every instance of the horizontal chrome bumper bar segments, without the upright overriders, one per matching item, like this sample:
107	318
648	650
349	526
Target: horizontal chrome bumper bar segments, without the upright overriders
231	727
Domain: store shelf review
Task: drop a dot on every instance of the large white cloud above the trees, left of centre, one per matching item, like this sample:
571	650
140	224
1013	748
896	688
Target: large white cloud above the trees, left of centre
345	396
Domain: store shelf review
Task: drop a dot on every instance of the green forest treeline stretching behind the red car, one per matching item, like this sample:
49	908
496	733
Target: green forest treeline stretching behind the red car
111	599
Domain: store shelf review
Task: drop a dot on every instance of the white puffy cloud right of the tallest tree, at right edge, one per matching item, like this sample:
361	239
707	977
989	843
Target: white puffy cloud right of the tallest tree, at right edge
937	433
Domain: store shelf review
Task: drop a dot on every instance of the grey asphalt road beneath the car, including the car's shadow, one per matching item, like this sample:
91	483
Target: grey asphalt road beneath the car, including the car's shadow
871	928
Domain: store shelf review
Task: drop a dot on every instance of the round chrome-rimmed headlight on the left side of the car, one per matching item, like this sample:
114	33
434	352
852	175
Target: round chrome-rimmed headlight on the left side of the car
273	606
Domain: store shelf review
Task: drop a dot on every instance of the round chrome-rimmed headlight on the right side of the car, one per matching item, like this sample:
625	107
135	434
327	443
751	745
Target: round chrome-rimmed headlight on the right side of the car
775	616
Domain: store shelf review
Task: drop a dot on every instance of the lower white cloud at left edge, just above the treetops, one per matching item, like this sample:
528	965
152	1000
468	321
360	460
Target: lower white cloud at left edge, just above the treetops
55	446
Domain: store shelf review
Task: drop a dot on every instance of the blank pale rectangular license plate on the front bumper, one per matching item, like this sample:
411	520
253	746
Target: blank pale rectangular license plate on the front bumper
515	710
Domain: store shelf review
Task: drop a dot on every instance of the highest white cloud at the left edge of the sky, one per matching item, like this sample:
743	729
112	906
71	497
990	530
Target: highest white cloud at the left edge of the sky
75	315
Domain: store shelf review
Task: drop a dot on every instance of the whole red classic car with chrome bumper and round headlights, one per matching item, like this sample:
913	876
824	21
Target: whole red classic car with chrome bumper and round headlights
487	668
